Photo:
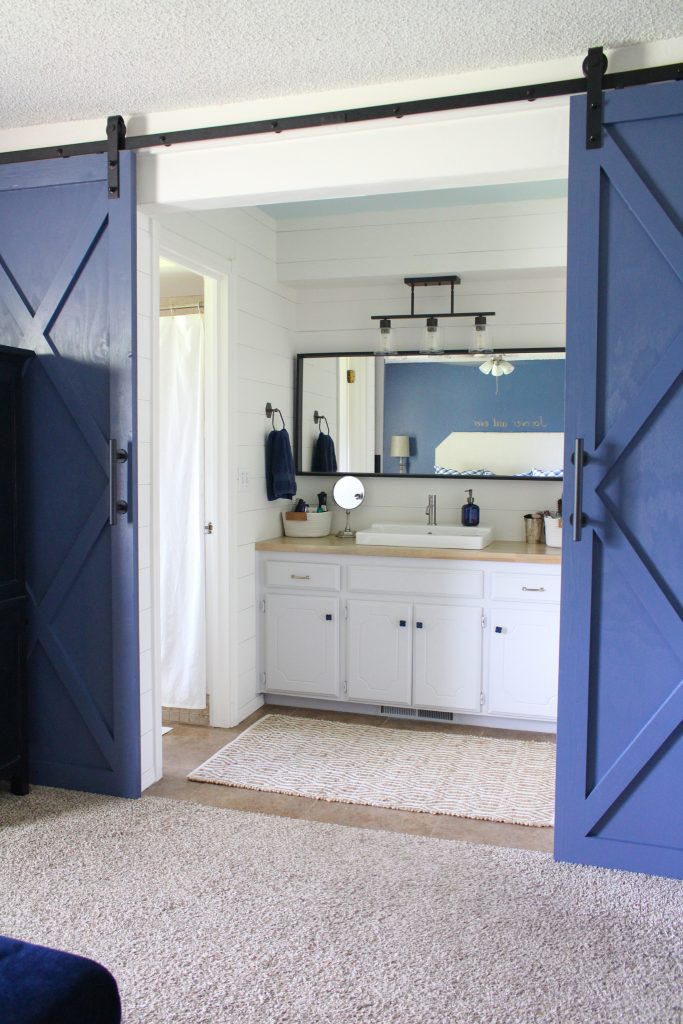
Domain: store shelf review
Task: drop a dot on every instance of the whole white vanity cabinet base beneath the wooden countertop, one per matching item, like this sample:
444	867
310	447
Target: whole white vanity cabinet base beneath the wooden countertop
474	638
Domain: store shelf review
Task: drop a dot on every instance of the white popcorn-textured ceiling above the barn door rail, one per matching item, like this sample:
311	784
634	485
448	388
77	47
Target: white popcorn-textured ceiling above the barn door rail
68	60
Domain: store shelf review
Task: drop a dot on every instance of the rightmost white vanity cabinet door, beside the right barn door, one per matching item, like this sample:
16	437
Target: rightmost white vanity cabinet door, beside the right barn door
525	651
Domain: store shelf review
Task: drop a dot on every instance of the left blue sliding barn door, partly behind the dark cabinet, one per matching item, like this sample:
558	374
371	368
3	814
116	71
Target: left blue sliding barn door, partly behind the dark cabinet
68	293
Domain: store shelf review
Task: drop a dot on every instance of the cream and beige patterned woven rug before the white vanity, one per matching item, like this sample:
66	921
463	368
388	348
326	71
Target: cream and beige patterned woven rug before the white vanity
410	771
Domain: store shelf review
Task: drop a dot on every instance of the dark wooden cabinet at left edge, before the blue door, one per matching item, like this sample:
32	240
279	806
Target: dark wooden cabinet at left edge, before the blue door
14	739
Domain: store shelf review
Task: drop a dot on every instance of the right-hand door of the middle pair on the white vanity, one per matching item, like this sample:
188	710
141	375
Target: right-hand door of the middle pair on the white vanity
448	658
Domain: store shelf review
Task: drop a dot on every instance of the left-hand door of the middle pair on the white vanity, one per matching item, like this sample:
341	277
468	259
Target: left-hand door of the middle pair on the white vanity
379	652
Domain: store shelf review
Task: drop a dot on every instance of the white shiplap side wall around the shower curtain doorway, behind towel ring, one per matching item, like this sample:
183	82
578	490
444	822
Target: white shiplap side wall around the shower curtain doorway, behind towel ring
261	355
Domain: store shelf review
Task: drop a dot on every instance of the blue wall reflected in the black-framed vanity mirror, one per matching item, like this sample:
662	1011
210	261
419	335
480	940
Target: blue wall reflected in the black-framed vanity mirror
430	401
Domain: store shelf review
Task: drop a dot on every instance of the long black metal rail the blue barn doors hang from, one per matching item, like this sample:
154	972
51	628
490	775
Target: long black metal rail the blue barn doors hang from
513	95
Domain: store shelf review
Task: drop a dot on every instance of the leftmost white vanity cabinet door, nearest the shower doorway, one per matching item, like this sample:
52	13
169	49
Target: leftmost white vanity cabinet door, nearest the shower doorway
303	645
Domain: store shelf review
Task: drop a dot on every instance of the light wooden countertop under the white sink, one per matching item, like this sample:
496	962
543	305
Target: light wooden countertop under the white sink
499	551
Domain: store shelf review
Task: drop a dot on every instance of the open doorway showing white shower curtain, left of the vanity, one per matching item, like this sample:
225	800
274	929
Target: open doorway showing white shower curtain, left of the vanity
187	493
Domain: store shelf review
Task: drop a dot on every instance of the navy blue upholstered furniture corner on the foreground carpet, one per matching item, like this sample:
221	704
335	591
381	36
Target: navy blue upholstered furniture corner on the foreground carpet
46	987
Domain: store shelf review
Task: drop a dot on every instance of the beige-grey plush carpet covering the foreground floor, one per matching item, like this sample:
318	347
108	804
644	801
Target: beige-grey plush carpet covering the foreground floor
215	917
